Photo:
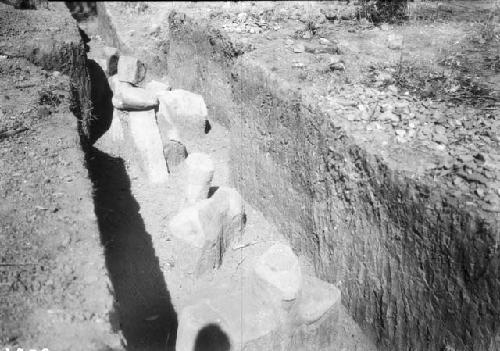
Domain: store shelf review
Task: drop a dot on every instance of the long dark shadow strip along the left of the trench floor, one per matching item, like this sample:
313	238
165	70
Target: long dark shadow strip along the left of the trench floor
147	317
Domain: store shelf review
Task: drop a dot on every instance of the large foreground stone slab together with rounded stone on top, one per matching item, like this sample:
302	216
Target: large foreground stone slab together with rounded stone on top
276	308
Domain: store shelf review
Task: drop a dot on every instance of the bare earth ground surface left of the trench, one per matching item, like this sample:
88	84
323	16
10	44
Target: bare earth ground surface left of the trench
55	292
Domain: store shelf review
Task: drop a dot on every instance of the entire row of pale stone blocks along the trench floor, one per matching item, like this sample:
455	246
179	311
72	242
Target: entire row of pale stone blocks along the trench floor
277	307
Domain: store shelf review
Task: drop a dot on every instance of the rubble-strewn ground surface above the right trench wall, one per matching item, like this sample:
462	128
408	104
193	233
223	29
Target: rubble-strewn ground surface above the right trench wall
437	73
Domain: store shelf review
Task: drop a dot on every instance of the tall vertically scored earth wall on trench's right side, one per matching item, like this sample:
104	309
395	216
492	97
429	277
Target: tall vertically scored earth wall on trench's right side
417	271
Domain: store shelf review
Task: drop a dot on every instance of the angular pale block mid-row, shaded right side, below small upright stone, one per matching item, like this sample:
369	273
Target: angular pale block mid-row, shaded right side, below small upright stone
209	226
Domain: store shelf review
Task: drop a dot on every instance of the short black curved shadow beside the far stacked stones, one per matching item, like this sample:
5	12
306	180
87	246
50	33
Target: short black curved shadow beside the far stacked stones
100	96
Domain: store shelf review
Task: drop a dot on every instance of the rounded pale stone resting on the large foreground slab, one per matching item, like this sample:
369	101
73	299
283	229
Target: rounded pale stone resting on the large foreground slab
277	277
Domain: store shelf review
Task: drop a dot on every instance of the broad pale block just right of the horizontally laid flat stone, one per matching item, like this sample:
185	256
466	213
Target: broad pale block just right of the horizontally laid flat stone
186	110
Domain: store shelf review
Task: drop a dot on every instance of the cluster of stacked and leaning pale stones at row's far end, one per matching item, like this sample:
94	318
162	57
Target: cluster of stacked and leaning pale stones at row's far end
159	118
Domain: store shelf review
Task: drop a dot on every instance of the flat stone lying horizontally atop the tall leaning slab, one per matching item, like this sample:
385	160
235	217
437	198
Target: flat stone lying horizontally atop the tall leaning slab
127	97
